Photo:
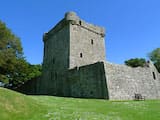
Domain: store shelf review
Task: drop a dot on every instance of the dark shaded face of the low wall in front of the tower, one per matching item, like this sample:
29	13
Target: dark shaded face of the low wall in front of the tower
86	81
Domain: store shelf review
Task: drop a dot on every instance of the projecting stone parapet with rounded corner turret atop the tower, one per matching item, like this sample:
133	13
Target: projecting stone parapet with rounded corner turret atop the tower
72	18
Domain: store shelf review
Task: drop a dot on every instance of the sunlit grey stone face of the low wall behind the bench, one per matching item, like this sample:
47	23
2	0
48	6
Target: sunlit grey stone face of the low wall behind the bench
123	81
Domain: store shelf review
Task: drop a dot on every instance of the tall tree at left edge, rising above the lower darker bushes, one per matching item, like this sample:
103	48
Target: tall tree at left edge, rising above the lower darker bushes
10	53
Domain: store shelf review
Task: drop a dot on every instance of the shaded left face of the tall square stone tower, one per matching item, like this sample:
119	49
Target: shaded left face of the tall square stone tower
56	58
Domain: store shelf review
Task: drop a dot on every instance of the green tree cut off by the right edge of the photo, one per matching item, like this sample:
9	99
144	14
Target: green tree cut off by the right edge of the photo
155	58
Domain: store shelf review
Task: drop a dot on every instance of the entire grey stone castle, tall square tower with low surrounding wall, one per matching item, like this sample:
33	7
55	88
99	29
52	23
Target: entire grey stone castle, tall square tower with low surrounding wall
74	65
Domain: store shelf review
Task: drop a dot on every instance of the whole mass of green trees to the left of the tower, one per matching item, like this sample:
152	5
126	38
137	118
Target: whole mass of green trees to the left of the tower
14	69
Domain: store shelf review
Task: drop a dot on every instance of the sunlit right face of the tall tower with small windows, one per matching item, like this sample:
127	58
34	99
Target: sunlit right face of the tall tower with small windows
86	43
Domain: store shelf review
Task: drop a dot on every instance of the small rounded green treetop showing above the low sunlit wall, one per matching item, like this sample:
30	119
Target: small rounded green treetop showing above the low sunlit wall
136	62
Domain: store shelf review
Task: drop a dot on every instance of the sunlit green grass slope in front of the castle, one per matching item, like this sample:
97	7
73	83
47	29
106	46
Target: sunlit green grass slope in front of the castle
16	106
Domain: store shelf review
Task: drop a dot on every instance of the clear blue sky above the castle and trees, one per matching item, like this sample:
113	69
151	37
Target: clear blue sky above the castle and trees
132	26
